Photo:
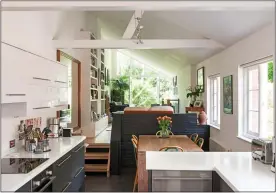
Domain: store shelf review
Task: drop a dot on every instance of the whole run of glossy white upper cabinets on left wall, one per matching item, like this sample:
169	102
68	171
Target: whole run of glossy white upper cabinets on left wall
26	77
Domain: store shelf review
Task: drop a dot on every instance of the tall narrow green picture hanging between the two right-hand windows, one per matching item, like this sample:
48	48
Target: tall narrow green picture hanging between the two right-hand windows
228	94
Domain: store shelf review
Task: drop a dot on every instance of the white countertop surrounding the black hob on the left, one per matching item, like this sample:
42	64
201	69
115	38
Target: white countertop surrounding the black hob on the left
59	147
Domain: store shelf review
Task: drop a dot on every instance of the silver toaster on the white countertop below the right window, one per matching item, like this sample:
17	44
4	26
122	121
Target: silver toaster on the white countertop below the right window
262	150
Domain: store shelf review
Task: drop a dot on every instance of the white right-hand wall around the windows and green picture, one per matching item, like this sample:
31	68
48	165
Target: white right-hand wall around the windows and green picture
255	46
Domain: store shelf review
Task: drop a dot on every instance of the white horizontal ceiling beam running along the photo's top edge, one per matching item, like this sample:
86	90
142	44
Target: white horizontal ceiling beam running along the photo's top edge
137	5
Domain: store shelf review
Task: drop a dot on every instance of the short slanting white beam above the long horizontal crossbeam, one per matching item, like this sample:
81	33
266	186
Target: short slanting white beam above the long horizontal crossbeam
131	27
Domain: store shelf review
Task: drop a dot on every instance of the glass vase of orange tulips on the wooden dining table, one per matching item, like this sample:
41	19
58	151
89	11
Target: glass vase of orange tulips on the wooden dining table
164	125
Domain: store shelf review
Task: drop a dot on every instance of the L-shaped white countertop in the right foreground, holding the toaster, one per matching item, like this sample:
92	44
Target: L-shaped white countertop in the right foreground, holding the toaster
237	169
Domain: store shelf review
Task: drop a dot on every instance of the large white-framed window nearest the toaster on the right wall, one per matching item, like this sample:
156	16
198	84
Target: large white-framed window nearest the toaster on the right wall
258	99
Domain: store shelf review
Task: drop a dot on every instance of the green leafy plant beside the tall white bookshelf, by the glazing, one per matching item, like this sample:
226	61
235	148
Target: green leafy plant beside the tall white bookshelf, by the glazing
118	87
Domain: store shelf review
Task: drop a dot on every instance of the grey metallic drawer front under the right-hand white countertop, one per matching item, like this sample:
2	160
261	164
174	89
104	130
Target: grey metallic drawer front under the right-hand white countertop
181	181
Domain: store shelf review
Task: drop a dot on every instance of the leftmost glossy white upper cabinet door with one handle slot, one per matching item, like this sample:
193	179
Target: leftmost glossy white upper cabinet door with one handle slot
14	72
